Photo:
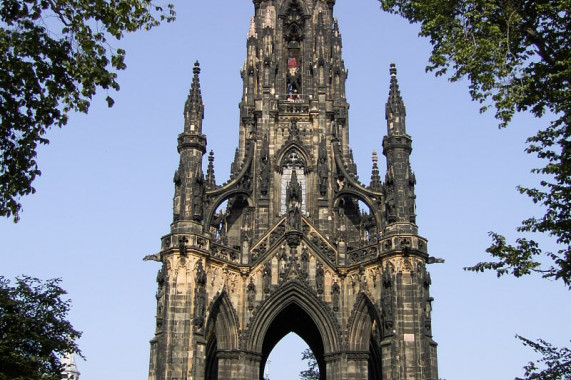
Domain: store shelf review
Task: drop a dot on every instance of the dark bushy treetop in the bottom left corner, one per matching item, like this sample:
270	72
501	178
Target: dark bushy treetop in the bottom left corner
34	332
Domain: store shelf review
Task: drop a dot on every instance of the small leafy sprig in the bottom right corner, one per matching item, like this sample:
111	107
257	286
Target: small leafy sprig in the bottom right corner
556	361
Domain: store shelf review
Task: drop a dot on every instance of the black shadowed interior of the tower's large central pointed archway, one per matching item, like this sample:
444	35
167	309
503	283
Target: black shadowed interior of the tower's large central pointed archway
294	319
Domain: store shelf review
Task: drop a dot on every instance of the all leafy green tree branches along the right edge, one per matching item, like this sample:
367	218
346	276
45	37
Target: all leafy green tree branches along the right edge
516	56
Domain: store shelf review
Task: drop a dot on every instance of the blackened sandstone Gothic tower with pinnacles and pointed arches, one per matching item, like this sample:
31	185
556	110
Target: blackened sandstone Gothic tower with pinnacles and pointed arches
293	241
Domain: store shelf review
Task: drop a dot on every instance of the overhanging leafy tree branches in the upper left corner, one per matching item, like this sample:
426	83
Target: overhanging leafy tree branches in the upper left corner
55	55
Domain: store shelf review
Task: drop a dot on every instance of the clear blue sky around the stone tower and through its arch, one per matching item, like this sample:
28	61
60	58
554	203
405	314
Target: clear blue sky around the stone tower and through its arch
104	198
